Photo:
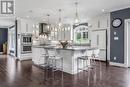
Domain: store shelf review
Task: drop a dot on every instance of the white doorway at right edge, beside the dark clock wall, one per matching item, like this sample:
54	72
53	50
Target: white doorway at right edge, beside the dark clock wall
127	43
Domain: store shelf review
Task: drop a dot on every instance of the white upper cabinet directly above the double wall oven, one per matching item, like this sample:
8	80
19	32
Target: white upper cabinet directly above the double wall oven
25	26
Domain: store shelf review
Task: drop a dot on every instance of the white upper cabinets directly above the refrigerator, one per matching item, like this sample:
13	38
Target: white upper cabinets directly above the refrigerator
100	22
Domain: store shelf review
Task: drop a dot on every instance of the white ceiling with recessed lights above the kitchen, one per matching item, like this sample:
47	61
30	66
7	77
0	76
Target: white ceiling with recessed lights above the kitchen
37	9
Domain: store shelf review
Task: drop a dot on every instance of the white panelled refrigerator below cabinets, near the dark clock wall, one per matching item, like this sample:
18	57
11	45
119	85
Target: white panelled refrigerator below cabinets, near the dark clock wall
98	39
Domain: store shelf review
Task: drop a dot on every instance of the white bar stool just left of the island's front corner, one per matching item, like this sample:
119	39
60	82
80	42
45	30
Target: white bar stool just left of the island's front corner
54	59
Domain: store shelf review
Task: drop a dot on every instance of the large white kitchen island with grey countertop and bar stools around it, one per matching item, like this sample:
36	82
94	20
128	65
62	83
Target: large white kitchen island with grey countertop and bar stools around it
69	55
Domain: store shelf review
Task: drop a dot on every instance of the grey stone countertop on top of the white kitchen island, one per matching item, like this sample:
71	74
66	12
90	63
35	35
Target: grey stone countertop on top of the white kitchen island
73	48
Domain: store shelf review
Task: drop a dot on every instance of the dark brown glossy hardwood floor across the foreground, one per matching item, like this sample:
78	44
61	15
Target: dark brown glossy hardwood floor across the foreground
24	74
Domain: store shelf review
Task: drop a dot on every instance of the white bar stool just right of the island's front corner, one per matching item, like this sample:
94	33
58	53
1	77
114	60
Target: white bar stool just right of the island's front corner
85	57
